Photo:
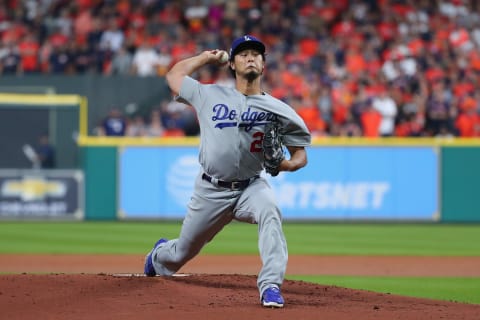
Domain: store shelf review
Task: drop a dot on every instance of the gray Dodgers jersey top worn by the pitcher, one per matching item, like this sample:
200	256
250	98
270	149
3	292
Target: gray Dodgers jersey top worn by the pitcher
232	126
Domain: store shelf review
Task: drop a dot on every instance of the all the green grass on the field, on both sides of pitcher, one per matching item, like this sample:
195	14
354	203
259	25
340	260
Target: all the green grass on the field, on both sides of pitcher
303	238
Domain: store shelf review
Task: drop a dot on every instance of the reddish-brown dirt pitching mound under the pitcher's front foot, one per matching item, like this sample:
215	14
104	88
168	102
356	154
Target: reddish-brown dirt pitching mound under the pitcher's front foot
202	296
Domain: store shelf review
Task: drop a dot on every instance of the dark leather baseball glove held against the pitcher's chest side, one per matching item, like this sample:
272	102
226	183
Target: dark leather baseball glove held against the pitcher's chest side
272	148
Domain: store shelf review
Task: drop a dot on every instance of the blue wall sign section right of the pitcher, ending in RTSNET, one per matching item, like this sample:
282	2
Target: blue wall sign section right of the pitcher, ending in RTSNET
362	183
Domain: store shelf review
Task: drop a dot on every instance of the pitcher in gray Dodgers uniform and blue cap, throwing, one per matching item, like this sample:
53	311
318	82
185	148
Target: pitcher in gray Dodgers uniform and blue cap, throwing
229	186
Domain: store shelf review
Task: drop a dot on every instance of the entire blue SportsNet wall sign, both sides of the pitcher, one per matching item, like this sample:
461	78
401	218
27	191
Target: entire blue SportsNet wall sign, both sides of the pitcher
340	183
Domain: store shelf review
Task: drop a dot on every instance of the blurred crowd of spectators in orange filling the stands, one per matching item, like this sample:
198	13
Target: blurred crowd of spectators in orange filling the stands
349	67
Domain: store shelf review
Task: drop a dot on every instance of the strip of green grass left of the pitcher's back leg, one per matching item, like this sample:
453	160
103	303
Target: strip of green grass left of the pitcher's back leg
82	237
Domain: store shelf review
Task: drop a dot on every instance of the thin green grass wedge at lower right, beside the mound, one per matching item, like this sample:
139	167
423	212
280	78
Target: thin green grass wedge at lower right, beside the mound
465	290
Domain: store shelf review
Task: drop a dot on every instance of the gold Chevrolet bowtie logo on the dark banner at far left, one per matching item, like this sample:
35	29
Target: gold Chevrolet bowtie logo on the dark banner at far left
30	189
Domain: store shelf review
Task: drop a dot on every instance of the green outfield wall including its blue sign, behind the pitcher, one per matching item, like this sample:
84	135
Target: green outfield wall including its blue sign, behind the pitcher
426	182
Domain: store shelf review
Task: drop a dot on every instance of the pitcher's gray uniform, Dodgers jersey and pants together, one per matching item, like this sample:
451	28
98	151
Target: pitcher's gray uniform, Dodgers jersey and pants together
231	133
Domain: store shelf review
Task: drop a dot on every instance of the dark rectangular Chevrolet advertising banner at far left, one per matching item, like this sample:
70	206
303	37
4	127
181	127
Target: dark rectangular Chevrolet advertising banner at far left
41	194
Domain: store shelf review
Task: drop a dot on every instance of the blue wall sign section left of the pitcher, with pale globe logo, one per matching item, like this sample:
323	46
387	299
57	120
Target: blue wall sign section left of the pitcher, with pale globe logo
156	181
